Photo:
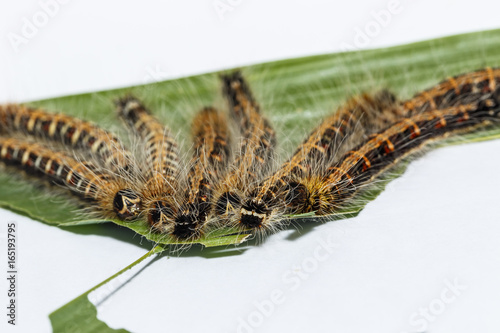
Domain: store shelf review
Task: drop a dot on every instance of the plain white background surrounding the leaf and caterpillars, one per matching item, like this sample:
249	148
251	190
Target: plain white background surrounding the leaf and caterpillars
436	226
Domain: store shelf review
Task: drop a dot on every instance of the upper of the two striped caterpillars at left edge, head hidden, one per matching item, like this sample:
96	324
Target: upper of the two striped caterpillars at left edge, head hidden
69	131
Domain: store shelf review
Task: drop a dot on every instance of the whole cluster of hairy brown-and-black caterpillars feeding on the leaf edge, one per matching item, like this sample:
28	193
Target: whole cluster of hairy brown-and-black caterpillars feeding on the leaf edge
224	186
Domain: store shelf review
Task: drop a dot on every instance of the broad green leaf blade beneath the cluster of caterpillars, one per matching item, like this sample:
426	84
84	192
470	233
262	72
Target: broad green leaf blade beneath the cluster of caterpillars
295	94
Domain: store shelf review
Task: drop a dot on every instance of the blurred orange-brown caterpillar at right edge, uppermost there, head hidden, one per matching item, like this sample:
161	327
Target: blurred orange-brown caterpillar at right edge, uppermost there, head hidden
460	89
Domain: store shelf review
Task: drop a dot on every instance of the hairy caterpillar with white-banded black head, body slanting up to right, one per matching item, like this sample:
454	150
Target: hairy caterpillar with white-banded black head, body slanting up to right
352	123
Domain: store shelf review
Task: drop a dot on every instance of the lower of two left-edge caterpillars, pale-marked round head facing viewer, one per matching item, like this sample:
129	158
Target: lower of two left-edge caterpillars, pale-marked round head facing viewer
113	198
